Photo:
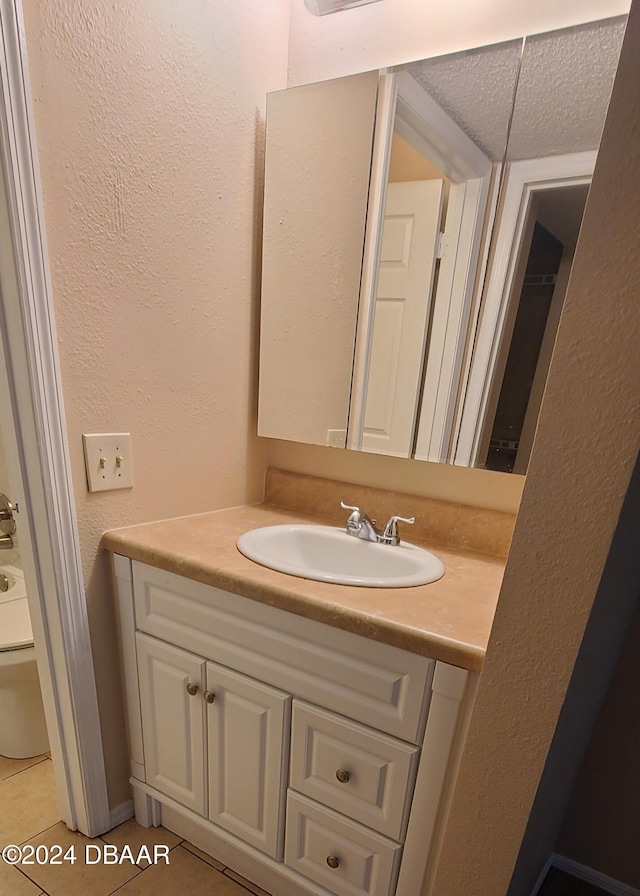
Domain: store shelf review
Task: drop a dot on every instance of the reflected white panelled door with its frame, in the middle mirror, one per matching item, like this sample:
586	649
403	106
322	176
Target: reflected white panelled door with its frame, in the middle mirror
435	200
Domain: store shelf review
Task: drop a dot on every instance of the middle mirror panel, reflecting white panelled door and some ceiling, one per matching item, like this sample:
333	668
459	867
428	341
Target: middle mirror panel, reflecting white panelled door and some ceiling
449	132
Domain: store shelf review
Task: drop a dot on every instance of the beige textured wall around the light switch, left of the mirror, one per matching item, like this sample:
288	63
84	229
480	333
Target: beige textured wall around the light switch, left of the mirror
149	118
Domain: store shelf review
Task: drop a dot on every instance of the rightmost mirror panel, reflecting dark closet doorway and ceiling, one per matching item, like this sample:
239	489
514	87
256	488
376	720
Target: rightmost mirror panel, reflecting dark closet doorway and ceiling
548	167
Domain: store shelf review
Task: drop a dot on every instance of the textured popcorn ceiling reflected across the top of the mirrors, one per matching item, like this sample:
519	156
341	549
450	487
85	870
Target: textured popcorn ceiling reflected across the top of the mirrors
562	96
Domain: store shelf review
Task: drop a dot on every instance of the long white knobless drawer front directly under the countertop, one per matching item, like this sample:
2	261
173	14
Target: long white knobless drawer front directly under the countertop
374	683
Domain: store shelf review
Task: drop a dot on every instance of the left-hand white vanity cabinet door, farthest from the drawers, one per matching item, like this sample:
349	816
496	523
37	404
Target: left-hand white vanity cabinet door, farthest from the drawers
172	709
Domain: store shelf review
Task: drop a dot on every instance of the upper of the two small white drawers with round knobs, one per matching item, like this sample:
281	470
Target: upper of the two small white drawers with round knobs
362	773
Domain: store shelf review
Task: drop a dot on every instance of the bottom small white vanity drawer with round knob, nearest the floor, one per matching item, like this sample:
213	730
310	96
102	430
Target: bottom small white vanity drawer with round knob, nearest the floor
337	853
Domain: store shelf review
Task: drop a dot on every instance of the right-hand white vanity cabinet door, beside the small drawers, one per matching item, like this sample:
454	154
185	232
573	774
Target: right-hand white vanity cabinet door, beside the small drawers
248	725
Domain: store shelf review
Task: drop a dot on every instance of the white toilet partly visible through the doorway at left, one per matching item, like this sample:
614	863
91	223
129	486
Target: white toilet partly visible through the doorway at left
23	730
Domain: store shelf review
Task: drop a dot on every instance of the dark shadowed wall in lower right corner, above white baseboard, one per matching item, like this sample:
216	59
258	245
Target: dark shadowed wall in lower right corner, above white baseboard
601	828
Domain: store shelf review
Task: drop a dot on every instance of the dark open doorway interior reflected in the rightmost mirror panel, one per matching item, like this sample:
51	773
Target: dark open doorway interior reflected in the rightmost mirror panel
545	258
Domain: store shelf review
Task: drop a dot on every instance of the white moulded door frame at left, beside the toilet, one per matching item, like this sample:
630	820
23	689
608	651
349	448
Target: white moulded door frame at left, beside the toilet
37	455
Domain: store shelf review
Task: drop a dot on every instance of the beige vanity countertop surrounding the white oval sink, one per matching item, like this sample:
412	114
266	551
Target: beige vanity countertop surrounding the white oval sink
449	620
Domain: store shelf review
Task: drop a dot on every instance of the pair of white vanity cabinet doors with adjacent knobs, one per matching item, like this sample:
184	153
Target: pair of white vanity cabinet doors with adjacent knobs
214	740
